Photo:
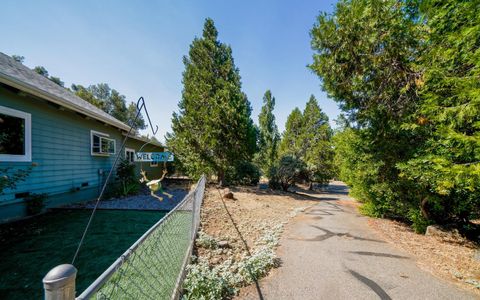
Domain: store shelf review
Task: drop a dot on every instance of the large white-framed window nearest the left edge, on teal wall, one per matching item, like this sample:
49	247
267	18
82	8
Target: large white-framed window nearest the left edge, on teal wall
15	135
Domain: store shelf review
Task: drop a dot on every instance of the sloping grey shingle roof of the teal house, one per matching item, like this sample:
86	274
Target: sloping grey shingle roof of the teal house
17	75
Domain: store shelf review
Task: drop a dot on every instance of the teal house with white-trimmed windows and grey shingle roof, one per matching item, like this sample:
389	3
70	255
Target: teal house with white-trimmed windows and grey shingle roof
71	143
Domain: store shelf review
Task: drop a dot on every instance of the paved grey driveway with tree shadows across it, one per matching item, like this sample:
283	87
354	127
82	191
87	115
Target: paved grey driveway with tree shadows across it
329	252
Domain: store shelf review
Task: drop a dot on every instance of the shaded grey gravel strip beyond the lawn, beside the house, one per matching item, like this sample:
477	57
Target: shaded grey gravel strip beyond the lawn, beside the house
143	201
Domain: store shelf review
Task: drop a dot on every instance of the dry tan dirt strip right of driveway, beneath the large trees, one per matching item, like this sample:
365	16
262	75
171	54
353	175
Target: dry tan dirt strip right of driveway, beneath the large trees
452	260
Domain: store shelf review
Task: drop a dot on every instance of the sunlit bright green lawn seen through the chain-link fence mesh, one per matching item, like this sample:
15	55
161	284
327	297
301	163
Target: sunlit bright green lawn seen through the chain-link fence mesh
151	272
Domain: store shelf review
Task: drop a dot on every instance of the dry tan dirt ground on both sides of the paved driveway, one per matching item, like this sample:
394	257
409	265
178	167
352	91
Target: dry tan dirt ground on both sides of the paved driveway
254	211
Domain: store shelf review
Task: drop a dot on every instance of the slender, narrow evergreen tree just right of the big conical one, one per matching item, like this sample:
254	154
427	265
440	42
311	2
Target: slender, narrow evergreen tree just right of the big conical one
268	136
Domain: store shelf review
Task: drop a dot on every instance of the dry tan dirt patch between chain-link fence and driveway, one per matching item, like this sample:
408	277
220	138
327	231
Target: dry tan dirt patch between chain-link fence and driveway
244	219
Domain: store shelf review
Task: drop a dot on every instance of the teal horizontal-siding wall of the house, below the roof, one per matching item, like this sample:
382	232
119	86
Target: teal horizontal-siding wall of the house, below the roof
62	154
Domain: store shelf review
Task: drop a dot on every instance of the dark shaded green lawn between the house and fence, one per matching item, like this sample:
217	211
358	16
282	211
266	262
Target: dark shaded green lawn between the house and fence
32	247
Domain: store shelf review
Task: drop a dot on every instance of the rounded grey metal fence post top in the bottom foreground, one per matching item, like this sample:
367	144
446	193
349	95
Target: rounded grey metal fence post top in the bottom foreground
59	283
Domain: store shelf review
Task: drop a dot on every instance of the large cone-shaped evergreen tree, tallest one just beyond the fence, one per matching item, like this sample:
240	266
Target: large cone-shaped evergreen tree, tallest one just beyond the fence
212	130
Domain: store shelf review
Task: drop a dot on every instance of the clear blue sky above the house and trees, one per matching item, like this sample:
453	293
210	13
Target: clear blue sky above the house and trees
137	47
